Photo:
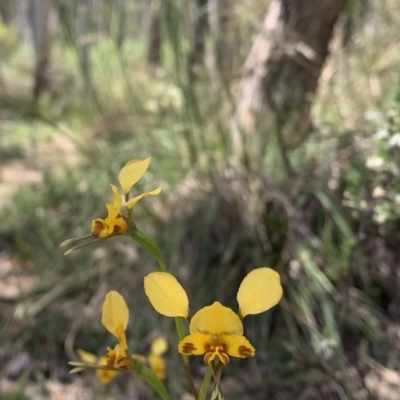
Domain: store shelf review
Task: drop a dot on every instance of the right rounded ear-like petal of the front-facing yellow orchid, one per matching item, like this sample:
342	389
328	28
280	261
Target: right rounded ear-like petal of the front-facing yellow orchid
259	291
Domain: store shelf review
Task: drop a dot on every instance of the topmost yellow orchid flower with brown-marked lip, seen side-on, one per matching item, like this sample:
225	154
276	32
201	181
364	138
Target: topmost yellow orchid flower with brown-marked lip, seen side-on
116	223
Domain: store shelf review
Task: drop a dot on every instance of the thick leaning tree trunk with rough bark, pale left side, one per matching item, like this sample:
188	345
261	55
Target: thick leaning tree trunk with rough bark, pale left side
282	70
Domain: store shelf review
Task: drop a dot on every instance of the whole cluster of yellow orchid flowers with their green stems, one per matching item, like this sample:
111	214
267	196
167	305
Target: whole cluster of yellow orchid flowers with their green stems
215	331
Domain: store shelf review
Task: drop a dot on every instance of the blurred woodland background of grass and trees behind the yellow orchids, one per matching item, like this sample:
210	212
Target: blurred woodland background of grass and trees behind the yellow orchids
259	165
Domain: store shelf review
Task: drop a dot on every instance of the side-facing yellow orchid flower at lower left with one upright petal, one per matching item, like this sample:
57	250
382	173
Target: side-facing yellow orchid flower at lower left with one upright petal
115	319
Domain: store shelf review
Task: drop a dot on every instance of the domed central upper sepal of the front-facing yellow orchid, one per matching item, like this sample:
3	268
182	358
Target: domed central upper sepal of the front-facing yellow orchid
216	319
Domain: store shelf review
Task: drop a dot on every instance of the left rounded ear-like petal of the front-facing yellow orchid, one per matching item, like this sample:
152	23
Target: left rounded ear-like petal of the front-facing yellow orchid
166	294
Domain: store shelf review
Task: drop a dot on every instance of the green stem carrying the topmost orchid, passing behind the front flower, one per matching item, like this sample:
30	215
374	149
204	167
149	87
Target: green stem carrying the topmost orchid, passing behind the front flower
149	243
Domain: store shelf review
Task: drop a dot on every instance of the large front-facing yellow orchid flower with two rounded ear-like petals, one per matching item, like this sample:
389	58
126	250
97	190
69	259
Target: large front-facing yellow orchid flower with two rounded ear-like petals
216	330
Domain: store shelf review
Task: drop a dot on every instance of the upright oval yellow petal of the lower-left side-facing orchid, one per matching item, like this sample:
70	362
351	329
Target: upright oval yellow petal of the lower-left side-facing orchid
115	314
